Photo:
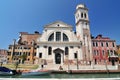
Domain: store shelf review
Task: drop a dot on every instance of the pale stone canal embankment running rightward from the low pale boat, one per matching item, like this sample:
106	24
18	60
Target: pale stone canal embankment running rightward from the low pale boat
99	69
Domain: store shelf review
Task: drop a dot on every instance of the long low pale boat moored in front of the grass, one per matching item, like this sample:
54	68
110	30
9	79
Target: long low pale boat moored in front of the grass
36	73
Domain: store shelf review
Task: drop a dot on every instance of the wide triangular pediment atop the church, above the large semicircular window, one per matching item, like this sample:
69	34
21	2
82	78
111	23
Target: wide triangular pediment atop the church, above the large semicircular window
57	24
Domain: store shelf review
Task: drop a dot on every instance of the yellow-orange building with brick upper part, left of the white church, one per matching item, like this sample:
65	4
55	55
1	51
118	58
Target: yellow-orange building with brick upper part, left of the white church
24	50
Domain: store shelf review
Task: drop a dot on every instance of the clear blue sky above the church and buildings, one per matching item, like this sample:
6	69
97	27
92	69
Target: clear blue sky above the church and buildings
32	15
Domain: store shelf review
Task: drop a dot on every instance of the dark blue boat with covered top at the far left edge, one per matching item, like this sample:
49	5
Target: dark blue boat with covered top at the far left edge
6	71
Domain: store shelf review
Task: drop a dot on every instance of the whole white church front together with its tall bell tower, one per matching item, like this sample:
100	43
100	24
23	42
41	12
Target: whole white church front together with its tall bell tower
59	44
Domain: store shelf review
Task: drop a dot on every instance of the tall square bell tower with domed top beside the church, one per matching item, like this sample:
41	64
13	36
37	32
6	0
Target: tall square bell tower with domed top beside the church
83	31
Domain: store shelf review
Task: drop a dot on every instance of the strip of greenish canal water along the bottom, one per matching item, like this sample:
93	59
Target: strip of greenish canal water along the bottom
67	76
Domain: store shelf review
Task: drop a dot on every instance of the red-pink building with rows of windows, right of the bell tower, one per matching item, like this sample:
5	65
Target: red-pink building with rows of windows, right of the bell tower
104	50
